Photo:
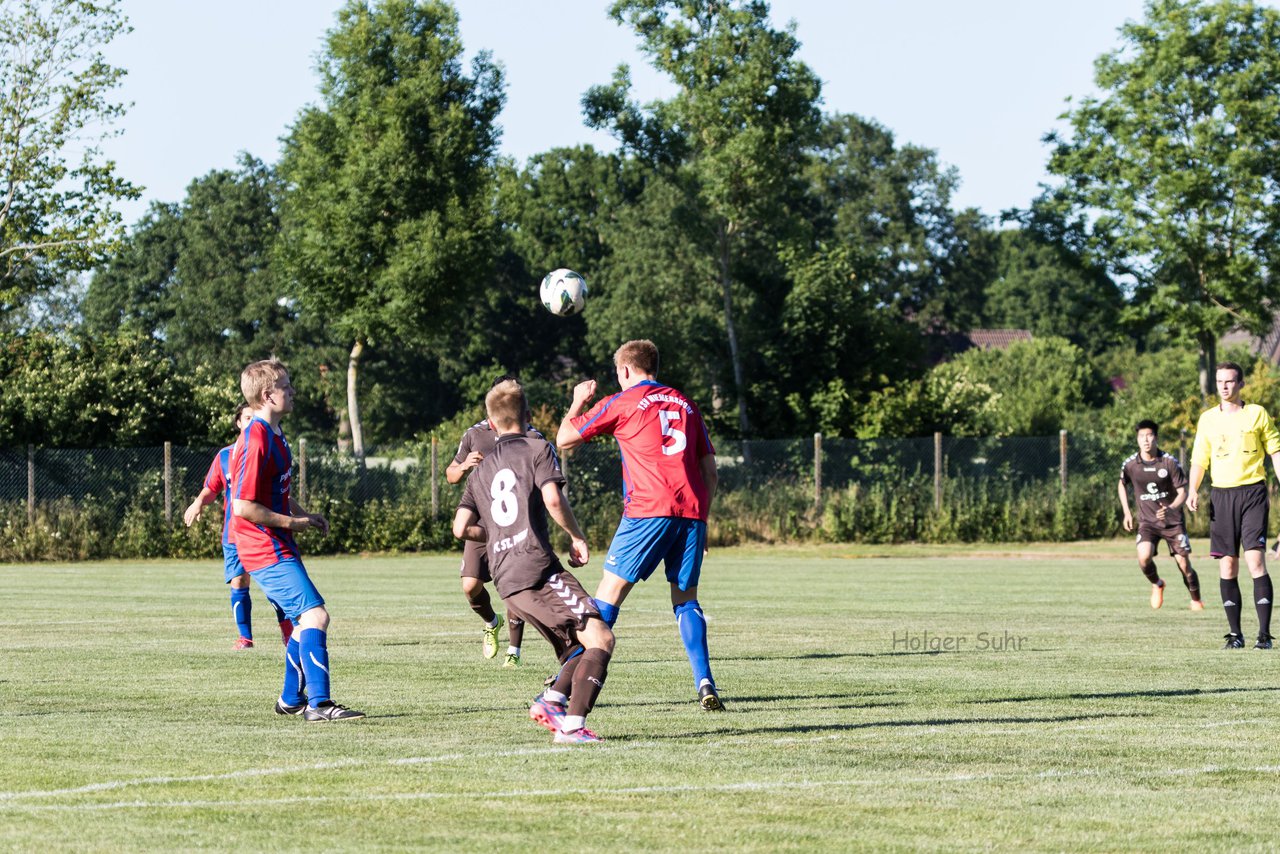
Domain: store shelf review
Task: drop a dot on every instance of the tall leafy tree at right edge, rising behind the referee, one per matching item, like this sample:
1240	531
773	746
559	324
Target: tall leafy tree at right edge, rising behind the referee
1181	162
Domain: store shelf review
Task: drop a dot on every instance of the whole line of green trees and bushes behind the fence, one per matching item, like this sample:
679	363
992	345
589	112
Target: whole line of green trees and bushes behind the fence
801	271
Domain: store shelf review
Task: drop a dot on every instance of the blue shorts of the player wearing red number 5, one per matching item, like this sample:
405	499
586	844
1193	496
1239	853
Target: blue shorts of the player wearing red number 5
639	545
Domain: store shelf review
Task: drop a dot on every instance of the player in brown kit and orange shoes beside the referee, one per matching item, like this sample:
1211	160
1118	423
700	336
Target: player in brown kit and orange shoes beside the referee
1160	490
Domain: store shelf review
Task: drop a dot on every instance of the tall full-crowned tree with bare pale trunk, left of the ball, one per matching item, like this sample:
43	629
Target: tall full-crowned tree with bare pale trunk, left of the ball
388	220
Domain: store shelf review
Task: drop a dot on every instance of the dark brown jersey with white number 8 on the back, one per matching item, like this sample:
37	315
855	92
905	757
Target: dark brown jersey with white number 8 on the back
505	491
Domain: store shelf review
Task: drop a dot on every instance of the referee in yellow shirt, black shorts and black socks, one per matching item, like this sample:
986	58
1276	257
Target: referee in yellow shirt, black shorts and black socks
1233	441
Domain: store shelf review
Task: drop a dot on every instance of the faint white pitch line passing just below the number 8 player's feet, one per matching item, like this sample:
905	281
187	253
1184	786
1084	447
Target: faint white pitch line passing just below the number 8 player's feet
8	800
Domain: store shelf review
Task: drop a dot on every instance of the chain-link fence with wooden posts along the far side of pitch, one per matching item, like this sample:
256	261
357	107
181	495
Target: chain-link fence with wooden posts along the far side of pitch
129	503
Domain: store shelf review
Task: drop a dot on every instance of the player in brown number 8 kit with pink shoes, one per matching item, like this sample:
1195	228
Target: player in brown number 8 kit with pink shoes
505	506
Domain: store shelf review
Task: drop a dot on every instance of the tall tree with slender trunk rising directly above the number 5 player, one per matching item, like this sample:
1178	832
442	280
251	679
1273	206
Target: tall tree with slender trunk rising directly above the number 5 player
733	140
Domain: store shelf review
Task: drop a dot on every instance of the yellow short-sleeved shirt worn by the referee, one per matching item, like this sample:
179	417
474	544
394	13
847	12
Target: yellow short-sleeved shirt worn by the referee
1235	446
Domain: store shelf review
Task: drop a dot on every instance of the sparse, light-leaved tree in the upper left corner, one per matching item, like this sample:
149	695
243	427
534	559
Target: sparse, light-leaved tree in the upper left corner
56	186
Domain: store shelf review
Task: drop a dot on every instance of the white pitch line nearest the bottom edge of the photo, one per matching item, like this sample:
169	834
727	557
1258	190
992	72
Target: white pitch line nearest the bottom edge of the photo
748	786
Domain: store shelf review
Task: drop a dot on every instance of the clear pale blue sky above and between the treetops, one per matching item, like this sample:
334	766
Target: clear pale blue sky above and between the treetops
980	81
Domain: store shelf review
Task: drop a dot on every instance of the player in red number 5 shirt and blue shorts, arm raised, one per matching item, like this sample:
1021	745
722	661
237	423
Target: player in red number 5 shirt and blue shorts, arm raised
669	479
